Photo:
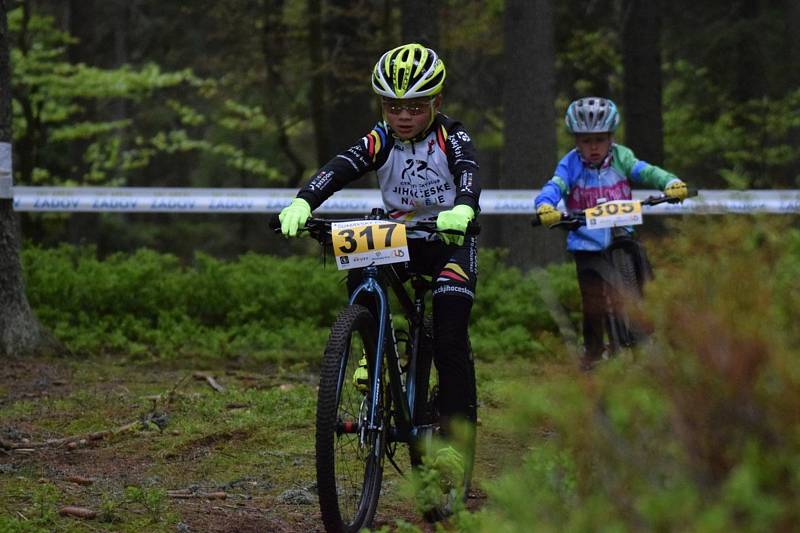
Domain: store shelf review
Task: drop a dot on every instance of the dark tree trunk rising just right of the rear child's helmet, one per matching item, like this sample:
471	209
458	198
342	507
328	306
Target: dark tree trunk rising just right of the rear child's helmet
641	60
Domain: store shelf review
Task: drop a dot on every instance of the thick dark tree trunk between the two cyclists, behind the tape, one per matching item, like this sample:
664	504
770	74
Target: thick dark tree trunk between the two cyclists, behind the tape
530	142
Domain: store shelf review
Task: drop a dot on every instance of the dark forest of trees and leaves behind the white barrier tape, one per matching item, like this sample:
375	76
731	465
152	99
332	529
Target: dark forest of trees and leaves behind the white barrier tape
260	93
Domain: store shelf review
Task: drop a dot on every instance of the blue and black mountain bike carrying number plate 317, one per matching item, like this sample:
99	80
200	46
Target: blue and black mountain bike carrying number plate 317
357	429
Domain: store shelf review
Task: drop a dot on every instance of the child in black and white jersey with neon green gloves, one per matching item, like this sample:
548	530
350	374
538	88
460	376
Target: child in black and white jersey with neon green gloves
426	168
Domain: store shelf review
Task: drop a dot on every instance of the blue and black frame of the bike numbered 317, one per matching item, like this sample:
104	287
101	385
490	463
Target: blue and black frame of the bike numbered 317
370	286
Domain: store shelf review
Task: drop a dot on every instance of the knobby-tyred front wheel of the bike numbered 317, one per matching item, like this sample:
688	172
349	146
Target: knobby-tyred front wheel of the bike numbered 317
349	454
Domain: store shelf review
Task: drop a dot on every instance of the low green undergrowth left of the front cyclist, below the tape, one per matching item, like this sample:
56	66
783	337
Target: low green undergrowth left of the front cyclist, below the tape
148	303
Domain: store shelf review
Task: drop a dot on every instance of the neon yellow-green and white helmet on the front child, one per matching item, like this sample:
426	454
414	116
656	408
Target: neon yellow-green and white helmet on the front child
408	71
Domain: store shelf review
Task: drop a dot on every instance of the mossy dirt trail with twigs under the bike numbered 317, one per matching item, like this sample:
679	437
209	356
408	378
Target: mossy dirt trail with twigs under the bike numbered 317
249	446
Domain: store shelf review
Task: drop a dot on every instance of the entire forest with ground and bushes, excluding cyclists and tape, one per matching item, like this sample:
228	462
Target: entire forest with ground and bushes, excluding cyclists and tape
698	433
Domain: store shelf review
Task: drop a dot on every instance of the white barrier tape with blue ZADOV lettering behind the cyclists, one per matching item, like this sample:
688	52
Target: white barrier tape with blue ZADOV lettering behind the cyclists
493	202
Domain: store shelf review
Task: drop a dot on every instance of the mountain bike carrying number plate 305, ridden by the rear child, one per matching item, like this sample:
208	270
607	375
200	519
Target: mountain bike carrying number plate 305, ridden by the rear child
623	268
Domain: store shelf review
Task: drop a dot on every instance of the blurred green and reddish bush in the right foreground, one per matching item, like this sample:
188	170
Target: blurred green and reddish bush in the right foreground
696	432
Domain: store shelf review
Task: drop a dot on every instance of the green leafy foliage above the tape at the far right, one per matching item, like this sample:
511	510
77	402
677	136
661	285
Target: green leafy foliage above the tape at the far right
745	145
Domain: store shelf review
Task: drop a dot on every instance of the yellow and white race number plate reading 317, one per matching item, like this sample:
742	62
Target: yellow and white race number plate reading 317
360	243
